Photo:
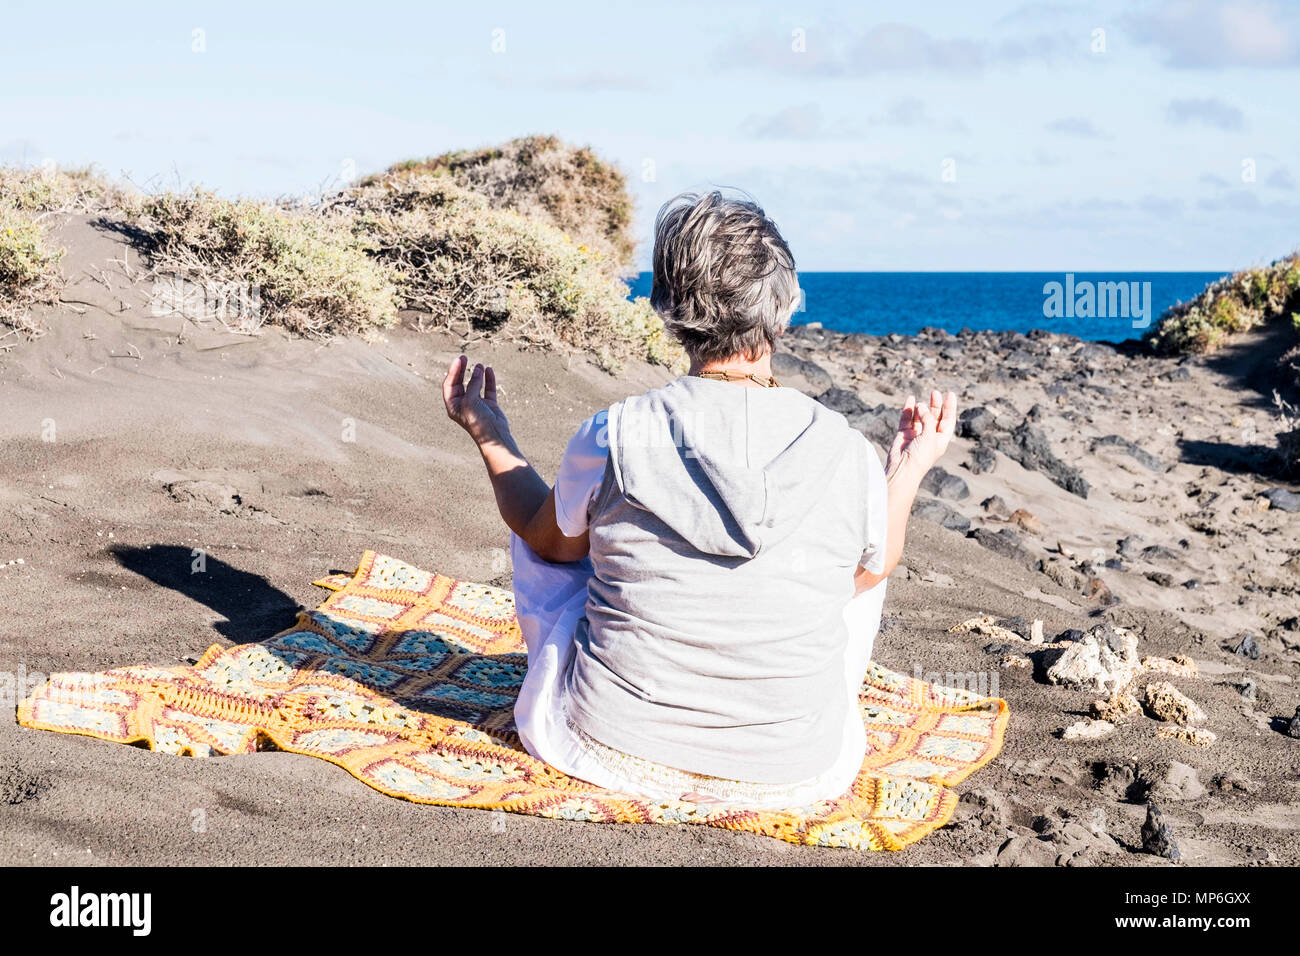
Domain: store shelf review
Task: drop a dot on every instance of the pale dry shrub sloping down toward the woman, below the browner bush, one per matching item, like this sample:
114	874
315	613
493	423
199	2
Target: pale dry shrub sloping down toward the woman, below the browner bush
462	261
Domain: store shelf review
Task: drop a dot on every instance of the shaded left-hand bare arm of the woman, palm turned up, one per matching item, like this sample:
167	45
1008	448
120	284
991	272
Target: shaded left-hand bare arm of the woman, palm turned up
527	504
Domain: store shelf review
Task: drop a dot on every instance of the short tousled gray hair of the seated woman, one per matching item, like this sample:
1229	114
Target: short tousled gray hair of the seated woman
725	279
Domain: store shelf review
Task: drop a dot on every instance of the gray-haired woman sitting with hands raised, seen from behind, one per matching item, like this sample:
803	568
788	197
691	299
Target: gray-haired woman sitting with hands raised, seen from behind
701	590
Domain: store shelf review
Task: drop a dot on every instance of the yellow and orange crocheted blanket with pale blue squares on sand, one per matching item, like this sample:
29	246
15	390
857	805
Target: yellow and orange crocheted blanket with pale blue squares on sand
408	680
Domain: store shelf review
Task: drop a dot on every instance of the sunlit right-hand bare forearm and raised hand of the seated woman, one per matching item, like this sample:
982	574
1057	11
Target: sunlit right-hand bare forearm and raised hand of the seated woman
922	439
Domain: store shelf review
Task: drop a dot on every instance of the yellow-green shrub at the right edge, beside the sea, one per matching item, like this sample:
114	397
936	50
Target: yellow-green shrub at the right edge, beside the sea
1230	306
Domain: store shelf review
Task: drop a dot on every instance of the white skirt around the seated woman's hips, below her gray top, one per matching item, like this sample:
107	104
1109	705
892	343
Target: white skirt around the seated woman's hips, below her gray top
552	599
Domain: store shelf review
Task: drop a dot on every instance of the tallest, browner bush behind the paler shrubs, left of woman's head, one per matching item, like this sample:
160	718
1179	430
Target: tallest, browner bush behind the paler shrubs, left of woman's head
547	180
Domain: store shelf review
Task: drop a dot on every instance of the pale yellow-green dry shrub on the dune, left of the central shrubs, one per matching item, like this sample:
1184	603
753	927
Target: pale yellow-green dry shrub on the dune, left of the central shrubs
310	274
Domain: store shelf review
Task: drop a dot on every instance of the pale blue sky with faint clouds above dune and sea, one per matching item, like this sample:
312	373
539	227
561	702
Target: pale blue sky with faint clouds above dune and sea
941	136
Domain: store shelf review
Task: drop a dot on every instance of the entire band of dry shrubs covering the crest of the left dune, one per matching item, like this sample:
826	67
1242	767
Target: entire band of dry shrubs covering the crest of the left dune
527	241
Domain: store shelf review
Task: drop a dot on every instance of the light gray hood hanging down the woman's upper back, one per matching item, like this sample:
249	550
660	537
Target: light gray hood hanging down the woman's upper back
731	469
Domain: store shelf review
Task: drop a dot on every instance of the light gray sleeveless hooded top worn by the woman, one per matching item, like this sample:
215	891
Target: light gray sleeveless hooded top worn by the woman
725	539
